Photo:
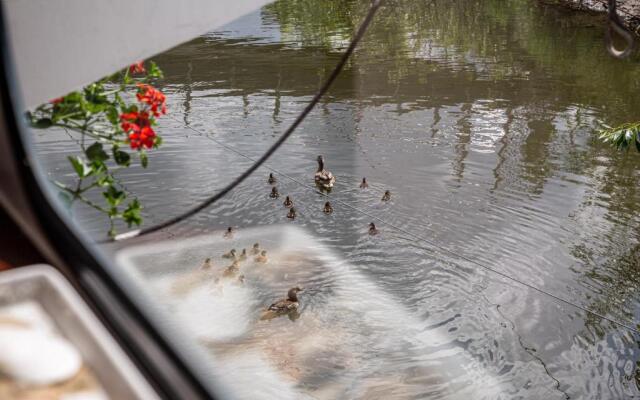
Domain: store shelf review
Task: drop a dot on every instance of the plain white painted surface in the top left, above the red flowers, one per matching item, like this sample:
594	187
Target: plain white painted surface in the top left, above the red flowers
60	45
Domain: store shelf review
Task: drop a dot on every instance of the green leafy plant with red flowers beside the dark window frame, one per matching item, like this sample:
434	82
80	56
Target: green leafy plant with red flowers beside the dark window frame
107	124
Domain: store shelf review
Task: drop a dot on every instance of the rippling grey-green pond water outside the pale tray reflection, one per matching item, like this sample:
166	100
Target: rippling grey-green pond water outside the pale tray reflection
480	118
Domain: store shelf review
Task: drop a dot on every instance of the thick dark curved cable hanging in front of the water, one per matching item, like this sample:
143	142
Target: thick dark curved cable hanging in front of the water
375	5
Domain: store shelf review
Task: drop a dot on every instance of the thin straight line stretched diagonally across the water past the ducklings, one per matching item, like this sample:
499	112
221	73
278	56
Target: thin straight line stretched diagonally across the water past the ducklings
626	325
